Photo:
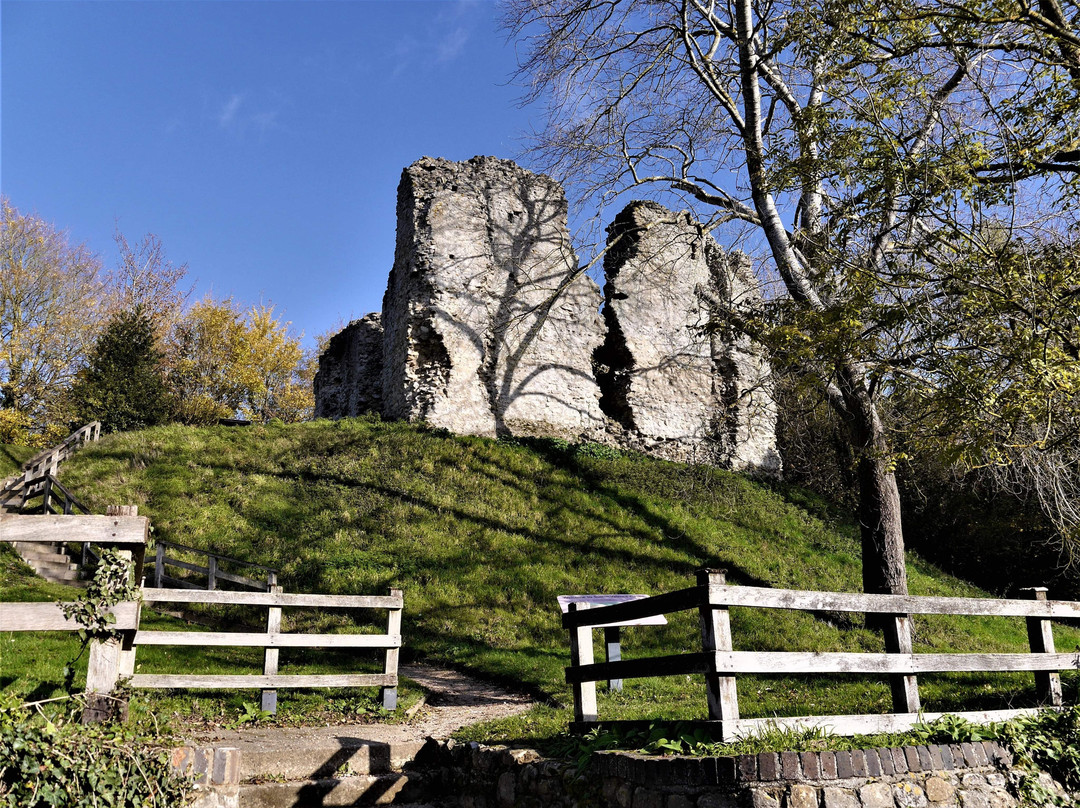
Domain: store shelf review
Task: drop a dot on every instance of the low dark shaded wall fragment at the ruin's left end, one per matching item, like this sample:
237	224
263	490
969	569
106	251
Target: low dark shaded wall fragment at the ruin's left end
349	381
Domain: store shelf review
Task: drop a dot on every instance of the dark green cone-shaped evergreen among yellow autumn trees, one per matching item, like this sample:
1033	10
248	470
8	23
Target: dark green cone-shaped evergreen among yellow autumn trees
123	385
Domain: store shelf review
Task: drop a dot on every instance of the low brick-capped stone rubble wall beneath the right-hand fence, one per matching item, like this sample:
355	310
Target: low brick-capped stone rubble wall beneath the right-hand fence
947	776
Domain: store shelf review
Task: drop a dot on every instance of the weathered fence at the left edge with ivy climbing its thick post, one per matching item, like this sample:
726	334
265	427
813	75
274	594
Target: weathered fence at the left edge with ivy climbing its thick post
109	659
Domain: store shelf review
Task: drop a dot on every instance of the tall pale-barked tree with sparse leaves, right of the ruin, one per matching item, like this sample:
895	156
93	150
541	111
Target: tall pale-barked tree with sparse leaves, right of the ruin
868	151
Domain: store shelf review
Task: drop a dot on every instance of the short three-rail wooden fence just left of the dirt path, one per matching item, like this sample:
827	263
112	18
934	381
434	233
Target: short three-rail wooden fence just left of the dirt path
274	640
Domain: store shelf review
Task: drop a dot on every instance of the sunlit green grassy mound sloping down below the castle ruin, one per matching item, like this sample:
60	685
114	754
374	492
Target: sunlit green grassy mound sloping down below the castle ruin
484	535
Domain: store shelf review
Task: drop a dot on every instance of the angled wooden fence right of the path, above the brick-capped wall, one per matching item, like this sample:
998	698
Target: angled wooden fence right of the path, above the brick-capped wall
722	665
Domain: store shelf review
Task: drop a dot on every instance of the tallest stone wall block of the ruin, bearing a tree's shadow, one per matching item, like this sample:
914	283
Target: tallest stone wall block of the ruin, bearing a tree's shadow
490	328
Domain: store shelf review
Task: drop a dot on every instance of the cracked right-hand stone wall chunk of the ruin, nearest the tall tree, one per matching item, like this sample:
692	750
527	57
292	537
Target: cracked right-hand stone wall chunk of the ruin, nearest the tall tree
682	389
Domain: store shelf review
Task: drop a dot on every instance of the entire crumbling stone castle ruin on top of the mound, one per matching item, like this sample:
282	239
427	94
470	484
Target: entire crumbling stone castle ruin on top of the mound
490	328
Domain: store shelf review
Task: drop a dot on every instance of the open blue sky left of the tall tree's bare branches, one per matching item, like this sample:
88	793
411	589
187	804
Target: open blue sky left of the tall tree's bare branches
263	141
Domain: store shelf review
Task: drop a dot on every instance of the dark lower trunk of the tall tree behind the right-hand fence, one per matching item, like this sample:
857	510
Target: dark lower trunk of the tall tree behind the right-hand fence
880	520
